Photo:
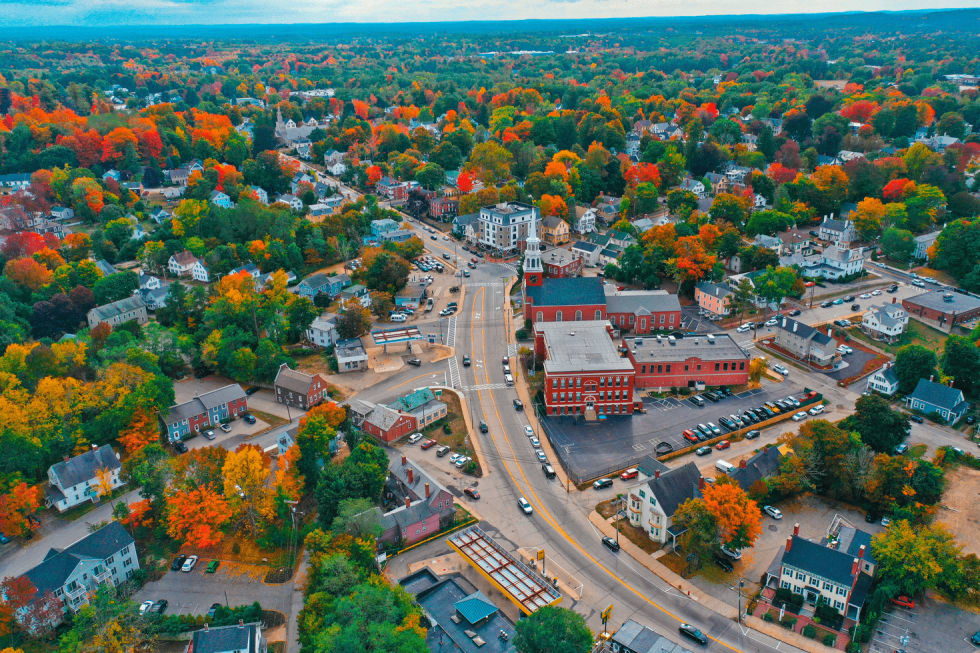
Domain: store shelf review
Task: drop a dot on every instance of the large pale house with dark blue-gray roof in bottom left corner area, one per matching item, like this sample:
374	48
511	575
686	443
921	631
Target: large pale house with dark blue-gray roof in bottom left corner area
73	574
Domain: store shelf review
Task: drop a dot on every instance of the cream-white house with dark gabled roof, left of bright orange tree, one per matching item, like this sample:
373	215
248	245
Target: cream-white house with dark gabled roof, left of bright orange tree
651	505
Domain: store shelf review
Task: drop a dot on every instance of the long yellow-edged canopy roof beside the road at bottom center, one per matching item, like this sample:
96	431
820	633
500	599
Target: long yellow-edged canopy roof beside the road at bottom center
517	581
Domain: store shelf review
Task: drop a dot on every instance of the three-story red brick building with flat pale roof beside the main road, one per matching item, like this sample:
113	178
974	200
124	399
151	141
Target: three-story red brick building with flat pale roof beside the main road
583	371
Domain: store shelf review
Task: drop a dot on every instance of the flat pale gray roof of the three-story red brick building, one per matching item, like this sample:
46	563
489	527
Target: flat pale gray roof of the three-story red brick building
580	346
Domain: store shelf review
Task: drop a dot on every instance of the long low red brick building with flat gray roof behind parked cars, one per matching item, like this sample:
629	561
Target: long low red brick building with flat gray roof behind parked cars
668	362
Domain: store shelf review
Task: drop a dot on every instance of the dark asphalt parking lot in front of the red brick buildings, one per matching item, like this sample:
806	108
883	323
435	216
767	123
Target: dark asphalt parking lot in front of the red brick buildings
591	449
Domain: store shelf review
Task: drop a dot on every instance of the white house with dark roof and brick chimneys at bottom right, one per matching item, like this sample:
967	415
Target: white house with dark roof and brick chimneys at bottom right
825	572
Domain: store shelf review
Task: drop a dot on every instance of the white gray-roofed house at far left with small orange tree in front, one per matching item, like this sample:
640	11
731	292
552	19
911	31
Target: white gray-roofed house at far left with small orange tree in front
80	479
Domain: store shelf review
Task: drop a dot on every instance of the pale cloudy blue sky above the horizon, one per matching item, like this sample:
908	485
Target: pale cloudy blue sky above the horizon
222	12
